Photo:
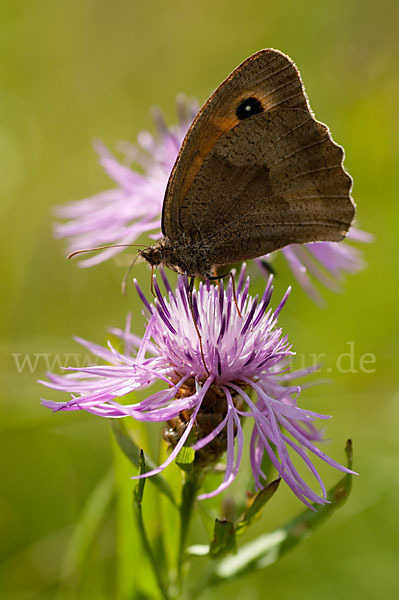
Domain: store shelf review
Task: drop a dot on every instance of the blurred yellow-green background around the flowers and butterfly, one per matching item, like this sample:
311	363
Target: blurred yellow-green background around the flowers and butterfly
75	70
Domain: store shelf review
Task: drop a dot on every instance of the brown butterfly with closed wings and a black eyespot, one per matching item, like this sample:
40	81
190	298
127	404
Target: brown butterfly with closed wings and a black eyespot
255	172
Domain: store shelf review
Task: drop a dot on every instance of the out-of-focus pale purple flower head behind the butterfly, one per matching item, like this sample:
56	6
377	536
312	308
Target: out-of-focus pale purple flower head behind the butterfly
121	215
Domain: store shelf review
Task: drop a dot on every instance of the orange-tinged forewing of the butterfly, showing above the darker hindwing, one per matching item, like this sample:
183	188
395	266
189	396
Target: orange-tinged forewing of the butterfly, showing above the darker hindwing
270	77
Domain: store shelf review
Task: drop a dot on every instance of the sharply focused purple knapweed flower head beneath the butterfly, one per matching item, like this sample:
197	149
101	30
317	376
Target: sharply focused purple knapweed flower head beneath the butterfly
240	374
